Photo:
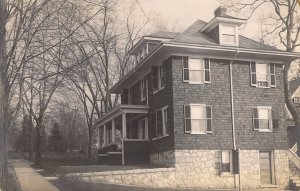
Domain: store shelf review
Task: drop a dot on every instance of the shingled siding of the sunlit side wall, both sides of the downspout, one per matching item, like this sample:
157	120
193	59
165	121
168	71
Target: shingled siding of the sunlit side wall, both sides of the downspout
217	95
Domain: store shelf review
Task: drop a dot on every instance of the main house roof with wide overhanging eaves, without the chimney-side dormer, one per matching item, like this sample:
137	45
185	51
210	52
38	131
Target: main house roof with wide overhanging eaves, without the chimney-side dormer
193	39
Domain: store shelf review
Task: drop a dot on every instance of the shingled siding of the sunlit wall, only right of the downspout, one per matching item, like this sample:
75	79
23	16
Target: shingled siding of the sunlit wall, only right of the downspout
247	97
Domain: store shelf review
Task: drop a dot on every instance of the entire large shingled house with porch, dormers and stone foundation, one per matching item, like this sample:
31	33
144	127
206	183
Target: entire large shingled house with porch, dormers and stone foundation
208	102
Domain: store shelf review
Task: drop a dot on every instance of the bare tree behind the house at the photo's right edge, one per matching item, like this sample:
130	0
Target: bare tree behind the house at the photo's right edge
283	22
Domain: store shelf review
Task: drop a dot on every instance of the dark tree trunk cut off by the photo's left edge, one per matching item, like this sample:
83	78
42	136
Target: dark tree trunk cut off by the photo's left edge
3	96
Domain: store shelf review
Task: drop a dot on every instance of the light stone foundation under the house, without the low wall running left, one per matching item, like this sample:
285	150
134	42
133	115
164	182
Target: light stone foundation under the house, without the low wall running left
198	168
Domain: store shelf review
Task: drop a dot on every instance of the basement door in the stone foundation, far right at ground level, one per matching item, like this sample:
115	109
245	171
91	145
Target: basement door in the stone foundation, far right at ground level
265	168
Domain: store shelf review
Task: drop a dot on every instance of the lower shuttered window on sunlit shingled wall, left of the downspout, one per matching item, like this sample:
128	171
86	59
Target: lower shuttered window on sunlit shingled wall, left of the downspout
198	119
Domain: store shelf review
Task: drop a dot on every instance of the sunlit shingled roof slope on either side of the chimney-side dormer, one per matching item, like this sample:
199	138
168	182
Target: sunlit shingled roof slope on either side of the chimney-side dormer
193	35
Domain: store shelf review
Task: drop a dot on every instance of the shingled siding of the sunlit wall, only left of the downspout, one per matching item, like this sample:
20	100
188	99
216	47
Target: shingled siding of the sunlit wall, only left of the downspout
216	94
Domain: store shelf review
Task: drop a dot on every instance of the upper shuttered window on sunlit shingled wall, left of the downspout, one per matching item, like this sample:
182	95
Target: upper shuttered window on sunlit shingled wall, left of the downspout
196	70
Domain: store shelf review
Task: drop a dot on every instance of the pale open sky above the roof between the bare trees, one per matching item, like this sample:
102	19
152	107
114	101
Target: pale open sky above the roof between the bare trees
181	13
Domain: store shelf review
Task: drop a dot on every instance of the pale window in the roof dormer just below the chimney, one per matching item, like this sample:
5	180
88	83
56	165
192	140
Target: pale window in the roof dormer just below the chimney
228	34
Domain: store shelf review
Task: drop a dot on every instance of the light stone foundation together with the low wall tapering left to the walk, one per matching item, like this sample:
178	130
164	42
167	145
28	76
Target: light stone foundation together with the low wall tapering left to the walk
198	169
